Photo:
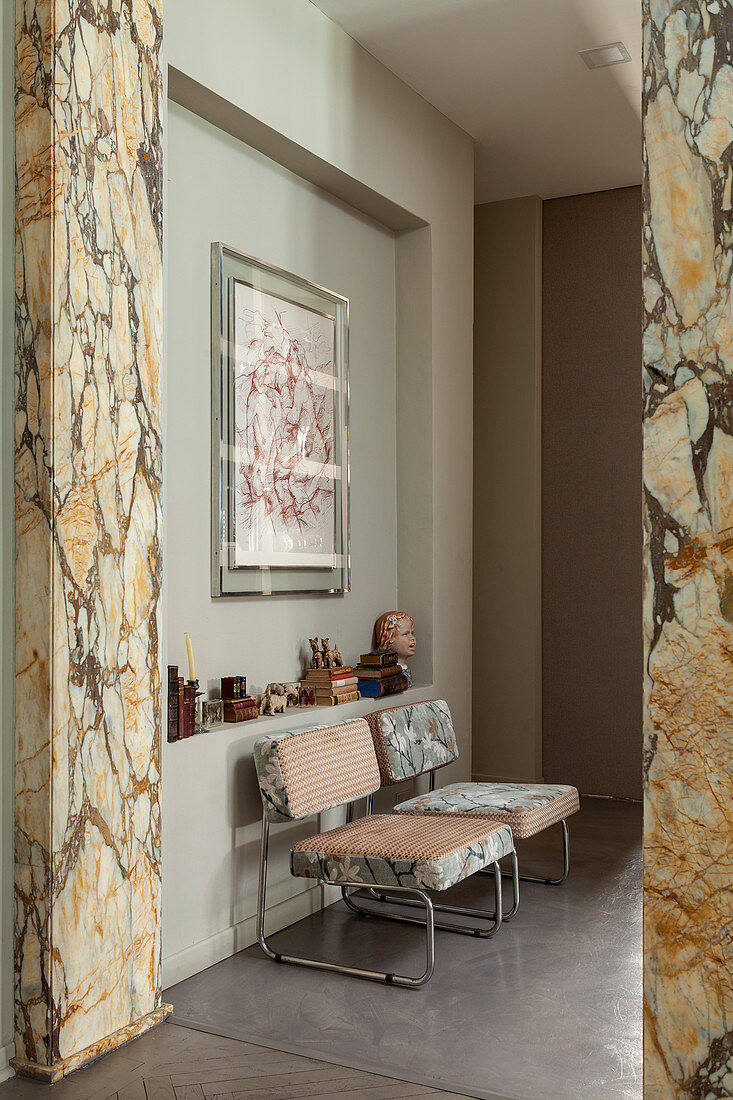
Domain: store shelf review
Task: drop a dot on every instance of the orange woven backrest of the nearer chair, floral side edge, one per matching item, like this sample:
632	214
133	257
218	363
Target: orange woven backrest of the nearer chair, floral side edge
308	771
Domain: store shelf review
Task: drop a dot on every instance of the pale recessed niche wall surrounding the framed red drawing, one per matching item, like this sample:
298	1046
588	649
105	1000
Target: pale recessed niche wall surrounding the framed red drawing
221	190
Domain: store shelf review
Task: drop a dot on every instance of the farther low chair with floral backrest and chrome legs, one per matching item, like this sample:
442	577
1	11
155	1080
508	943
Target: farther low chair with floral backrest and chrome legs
419	739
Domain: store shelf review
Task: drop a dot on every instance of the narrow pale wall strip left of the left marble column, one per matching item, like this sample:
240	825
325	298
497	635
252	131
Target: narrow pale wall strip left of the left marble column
7	534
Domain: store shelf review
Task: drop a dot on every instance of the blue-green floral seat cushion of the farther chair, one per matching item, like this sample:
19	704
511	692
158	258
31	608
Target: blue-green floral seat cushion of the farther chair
527	808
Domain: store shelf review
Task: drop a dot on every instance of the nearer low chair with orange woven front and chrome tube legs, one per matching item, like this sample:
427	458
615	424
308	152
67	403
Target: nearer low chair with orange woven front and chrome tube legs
308	772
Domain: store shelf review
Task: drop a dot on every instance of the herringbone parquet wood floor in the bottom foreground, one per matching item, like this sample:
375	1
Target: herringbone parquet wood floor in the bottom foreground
176	1063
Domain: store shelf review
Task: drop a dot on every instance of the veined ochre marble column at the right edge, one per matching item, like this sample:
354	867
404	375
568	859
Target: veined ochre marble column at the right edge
688	614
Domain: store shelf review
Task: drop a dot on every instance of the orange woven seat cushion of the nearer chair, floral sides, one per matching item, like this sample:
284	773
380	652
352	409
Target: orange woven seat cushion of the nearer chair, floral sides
388	851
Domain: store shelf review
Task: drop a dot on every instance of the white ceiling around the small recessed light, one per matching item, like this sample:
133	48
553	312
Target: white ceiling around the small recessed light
509	73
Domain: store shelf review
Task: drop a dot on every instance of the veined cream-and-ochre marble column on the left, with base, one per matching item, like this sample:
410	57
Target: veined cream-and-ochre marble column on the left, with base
89	97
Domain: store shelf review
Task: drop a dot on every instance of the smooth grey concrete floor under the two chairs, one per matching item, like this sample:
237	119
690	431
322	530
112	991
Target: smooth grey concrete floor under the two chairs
549	1010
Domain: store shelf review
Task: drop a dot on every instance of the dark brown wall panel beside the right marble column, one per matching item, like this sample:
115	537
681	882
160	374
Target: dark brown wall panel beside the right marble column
592	492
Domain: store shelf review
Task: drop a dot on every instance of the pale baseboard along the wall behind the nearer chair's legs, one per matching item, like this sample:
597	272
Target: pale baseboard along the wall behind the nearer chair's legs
224	944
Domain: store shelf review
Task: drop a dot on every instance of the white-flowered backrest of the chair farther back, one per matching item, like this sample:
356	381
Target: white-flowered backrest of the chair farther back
413	740
